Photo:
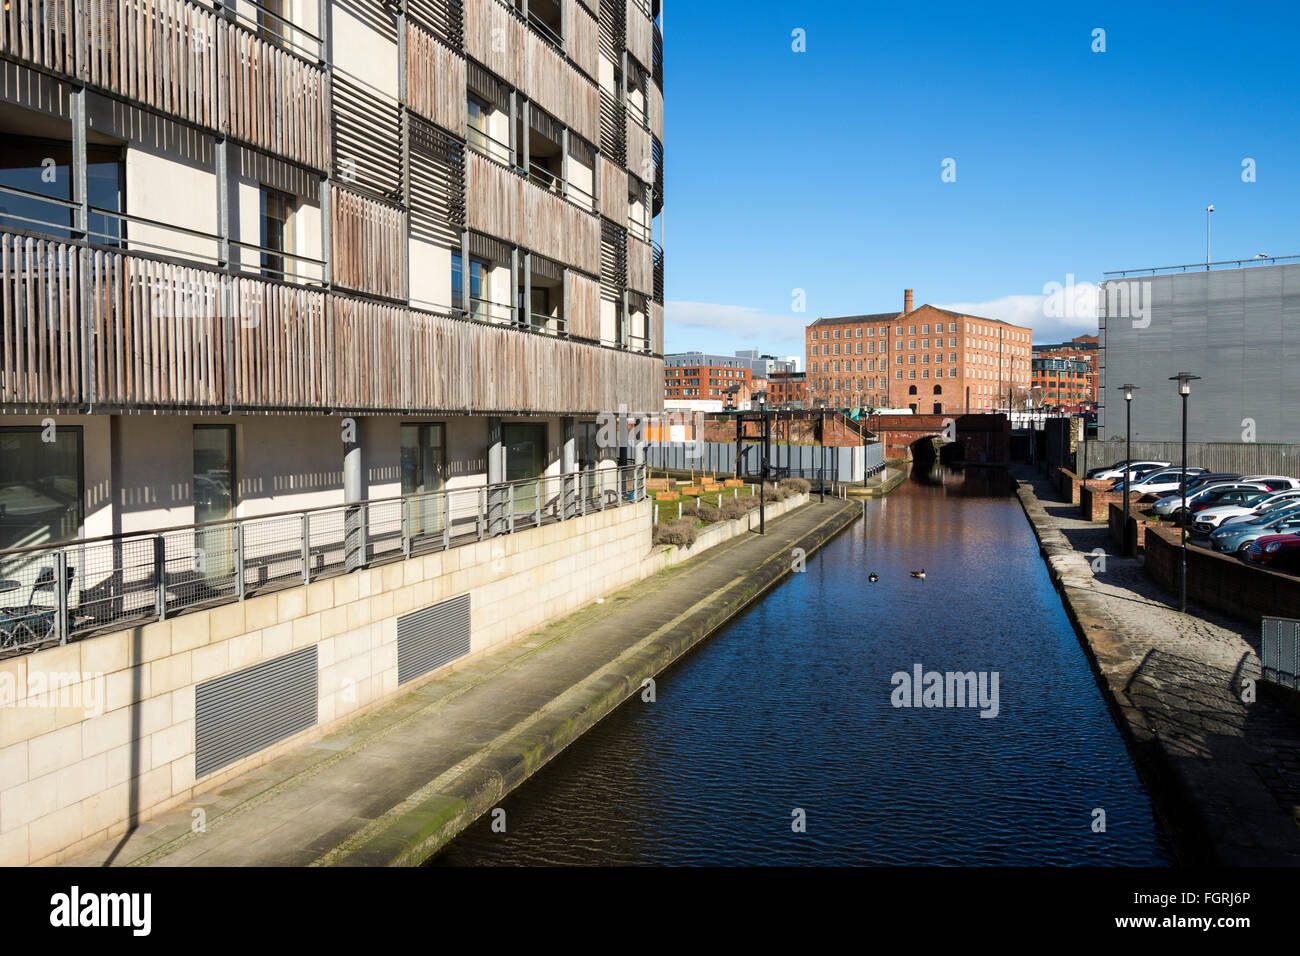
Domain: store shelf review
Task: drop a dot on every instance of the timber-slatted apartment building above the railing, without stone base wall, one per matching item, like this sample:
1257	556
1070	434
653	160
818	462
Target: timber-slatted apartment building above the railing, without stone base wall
262	257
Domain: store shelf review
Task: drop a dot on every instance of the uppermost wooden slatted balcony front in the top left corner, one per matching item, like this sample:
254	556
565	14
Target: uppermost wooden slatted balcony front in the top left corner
184	62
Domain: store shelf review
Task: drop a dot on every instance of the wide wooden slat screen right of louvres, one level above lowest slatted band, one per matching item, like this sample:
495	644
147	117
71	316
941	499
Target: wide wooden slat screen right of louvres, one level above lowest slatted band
519	213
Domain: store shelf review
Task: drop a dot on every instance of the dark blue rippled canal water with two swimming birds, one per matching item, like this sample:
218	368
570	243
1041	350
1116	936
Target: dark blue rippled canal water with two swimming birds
791	710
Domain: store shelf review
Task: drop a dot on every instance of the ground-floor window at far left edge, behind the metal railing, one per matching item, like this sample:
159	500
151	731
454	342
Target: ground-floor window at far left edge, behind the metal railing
41	486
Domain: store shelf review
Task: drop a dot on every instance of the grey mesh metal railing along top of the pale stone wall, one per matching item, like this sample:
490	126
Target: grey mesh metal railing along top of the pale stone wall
57	592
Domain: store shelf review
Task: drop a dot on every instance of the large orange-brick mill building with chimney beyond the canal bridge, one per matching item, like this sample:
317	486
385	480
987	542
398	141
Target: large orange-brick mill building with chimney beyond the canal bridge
926	358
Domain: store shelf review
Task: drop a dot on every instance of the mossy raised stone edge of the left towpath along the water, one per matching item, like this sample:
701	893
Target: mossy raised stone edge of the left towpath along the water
427	821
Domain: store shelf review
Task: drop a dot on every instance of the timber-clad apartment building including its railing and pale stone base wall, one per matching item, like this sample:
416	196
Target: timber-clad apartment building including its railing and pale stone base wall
311	318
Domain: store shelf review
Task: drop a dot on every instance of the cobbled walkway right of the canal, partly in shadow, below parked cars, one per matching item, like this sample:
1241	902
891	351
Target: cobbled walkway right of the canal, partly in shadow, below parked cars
1227	775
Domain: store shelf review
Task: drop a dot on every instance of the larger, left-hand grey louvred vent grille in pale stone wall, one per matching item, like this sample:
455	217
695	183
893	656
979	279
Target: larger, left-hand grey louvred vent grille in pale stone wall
241	713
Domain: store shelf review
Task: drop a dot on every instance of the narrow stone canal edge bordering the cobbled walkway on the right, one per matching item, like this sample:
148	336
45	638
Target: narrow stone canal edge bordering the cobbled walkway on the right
1112	661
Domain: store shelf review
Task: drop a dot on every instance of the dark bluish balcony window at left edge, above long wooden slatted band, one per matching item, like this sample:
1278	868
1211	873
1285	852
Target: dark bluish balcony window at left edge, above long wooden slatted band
44	168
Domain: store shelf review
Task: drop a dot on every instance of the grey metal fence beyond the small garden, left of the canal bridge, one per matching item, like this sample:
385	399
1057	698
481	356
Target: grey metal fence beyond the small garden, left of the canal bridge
814	462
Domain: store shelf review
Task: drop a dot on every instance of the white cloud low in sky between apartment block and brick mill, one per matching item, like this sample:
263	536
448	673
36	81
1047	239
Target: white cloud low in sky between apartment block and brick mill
718	328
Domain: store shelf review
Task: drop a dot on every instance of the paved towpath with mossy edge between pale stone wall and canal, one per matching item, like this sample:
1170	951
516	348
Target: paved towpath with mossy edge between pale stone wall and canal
398	784
